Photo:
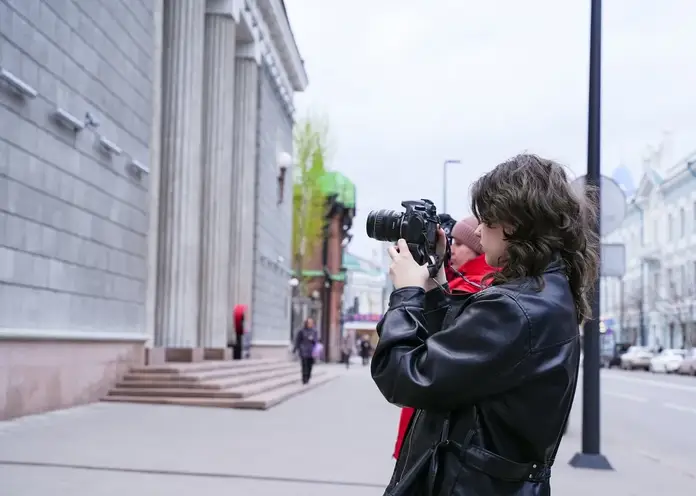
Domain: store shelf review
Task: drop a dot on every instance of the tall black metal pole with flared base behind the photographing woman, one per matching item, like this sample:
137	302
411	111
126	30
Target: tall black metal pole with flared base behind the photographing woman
590	457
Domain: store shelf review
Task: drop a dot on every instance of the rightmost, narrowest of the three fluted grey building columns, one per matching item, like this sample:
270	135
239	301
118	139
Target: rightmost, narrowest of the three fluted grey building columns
244	174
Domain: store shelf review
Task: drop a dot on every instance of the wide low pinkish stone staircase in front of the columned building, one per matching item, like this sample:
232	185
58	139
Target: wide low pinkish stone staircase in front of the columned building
251	384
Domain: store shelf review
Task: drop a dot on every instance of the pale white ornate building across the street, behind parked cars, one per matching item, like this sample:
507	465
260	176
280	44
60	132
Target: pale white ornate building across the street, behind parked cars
655	303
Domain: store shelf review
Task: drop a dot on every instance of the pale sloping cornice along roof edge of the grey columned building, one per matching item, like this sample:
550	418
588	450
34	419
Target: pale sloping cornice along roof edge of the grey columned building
279	24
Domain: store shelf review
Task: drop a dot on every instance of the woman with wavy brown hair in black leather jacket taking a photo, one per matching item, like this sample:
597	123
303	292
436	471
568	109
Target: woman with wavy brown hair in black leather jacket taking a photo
492	375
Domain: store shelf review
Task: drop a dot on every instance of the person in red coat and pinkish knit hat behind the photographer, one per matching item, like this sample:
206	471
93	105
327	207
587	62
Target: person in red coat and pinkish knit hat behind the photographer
467	256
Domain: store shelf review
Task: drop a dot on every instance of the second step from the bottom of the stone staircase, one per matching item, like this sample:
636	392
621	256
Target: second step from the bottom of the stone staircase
239	391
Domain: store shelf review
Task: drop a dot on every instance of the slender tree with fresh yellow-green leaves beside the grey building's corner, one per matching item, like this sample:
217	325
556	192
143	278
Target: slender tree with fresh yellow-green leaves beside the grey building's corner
308	197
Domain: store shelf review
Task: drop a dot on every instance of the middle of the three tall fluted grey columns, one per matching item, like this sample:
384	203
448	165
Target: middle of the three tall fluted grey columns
219	105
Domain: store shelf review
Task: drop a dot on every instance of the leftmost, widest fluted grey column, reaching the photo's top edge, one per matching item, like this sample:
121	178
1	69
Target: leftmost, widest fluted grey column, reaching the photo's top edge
180	191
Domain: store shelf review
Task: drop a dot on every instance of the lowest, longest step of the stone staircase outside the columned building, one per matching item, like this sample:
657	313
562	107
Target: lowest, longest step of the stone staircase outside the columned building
261	401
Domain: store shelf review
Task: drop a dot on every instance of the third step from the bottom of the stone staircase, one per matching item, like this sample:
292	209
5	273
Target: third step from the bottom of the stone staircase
231	380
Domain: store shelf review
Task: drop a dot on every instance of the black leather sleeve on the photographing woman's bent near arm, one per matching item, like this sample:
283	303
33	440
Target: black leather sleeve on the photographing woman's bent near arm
479	354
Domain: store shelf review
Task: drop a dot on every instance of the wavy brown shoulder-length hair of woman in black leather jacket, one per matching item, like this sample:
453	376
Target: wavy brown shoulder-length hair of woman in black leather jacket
543	218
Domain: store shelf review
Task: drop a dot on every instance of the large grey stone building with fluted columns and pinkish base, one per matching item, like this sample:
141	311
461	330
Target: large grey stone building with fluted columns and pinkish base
143	152
